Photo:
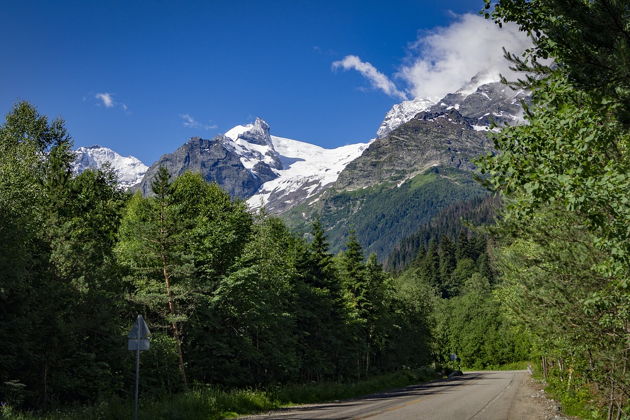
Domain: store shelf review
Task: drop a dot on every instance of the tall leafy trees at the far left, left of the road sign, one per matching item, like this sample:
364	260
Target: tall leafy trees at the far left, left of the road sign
57	266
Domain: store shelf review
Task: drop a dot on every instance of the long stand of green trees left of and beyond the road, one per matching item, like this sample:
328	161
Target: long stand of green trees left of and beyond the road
233	299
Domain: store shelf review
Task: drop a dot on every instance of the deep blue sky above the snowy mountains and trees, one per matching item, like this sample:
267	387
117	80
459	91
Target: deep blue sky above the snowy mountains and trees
142	77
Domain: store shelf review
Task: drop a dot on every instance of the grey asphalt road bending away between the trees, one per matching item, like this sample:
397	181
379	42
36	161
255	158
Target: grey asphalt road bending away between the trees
475	395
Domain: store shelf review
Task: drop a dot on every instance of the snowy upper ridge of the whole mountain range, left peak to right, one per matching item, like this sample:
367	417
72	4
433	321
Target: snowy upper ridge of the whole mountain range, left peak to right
279	173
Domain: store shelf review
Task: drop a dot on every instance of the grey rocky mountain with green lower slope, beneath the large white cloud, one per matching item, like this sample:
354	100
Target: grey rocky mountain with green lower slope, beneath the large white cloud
404	178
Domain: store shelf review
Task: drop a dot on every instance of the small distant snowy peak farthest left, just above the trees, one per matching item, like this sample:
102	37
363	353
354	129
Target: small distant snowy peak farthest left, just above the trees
129	169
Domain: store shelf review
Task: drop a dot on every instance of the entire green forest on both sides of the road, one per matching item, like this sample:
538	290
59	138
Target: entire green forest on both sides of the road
538	271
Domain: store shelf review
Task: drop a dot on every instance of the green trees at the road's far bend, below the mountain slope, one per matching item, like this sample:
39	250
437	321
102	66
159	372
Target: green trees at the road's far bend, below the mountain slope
467	319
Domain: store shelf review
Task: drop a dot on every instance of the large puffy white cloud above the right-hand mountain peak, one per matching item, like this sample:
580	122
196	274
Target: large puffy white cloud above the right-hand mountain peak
446	58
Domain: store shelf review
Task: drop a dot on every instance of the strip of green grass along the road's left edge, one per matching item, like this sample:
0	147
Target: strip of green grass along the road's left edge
207	403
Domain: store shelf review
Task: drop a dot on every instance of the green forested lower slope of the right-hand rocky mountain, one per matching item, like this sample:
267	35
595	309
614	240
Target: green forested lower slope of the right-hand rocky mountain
384	214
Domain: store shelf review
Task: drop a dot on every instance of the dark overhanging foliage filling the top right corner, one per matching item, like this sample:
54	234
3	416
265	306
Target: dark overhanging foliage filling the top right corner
587	40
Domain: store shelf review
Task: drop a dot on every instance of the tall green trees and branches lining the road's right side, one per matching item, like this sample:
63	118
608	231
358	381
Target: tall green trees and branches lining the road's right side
565	260
